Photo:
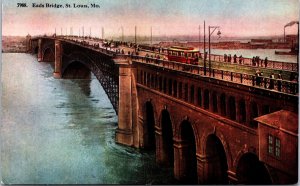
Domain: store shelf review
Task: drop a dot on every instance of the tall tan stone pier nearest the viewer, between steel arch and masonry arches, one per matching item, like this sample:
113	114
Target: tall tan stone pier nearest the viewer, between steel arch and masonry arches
127	132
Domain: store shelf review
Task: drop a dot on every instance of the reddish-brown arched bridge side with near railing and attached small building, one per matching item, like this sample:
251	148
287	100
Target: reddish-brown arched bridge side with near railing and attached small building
204	126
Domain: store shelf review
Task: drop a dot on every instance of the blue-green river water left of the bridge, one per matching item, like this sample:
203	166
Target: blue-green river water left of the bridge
62	131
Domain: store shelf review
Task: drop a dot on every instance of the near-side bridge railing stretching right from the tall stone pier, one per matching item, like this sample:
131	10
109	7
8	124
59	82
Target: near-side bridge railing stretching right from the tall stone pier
289	87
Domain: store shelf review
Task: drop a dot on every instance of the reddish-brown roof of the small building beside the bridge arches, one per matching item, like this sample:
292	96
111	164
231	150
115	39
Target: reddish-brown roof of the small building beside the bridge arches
283	120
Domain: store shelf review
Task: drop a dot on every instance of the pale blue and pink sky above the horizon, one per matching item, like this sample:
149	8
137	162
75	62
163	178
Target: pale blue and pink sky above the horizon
166	17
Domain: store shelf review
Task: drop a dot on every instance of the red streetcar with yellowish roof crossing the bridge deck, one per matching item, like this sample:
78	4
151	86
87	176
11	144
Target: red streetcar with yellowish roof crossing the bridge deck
187	55
